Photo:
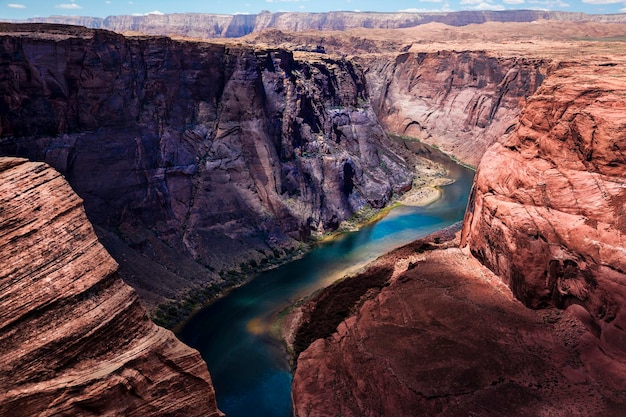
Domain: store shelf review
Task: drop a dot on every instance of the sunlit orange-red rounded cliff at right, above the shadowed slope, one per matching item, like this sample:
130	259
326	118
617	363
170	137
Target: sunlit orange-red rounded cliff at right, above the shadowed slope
548	209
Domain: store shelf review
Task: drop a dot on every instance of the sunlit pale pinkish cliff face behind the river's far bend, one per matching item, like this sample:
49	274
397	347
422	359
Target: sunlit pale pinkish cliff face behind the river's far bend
461	102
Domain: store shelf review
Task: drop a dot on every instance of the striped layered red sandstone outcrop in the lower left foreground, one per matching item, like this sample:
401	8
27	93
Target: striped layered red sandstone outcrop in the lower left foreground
73	338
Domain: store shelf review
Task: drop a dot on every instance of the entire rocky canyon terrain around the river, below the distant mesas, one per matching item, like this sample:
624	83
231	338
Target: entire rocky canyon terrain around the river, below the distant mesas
180	167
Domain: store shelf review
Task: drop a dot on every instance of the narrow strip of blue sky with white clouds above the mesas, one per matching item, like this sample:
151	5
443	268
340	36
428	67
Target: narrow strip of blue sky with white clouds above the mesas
20	9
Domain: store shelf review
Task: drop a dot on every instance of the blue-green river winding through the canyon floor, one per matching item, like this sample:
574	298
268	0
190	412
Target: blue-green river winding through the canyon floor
248	366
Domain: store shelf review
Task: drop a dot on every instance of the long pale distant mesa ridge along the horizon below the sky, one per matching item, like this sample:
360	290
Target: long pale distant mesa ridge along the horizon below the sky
200	25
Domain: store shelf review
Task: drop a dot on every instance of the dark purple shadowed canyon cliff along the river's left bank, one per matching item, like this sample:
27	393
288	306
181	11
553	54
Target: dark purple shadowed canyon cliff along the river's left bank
198	156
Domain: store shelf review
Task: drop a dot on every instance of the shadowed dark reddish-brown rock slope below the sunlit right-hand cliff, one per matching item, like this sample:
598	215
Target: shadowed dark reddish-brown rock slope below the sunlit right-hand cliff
437	333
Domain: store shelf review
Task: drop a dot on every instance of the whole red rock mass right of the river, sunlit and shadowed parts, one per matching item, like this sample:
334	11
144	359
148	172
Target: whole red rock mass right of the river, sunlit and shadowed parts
445	334
